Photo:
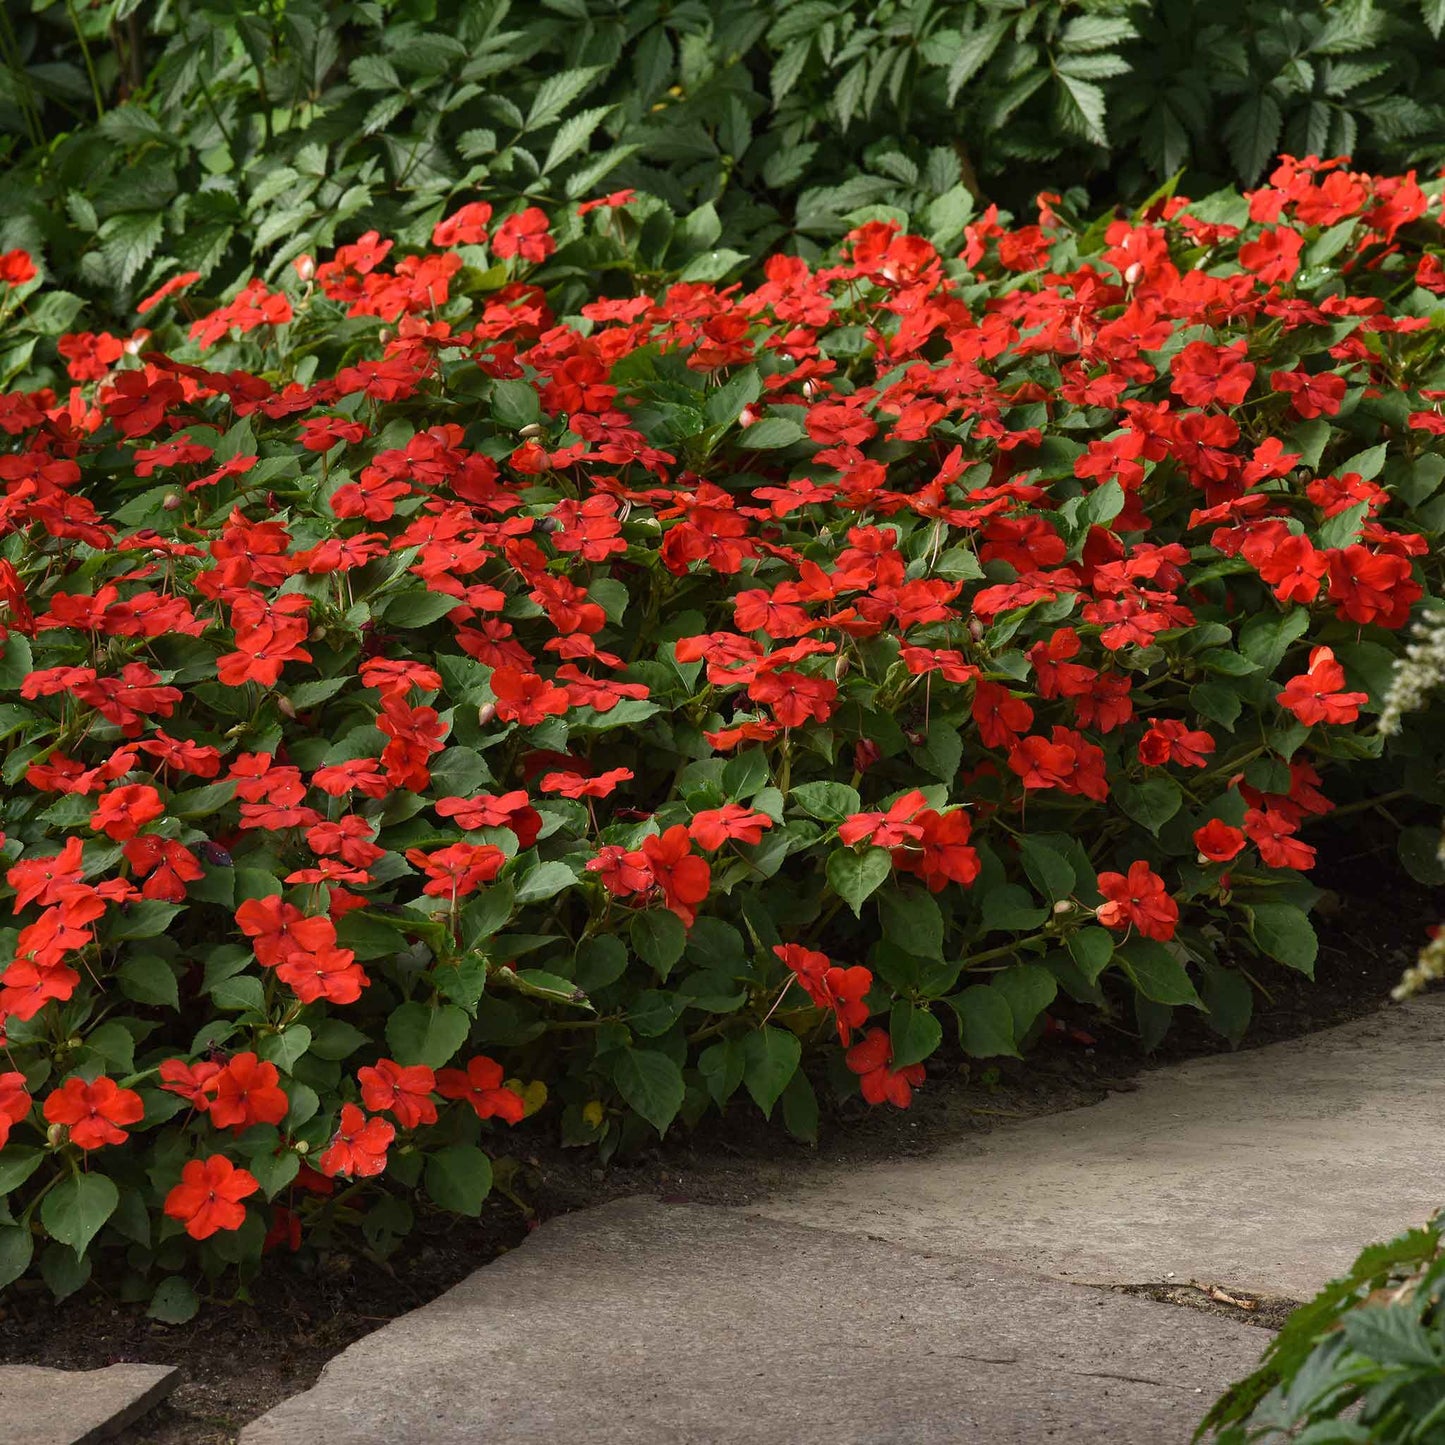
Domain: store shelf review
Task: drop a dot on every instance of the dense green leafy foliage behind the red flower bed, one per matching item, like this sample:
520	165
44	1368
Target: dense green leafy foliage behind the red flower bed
232	137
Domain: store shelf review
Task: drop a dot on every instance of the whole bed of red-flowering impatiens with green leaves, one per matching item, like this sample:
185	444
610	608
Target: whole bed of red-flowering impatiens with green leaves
440	693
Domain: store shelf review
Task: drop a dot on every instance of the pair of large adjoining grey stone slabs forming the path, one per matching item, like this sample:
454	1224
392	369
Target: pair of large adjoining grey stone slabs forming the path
934	1300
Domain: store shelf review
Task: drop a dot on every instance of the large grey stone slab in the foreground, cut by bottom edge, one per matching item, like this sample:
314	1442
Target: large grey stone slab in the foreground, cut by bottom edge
648	1324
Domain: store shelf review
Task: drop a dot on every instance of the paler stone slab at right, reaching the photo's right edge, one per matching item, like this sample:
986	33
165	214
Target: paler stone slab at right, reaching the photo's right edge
1265	1170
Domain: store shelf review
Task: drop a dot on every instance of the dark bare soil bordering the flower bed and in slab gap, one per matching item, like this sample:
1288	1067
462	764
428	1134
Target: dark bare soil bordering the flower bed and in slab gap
241	1360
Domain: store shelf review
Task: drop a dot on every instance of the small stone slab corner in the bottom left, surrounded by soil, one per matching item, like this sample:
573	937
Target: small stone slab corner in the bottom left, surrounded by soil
43	1407
